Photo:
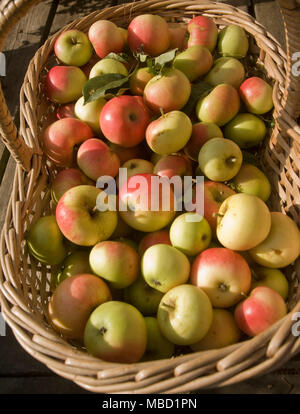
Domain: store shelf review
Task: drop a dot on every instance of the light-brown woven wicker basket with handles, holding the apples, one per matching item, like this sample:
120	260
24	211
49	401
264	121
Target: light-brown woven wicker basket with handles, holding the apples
25	285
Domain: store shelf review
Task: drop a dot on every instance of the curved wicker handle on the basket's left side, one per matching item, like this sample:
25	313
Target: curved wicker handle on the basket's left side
10	13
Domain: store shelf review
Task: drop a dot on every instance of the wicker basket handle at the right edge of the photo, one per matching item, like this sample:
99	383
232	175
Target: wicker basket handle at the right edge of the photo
290	10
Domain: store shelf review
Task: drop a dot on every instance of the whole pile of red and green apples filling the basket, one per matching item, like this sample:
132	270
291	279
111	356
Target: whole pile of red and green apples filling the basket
160	99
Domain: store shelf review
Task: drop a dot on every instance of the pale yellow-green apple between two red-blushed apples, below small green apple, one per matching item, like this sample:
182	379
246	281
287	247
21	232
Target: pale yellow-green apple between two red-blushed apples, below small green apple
164	267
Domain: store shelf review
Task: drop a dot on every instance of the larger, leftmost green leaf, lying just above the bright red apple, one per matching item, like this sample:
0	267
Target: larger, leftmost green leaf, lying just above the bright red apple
106	85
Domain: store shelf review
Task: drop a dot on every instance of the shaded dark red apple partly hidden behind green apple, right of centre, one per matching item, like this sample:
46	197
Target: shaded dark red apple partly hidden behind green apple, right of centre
201	132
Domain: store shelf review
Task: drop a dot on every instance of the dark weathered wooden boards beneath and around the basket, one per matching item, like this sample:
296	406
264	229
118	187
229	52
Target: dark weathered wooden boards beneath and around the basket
19	372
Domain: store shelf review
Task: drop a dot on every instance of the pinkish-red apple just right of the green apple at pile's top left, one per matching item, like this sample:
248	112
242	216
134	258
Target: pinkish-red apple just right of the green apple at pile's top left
106	37
